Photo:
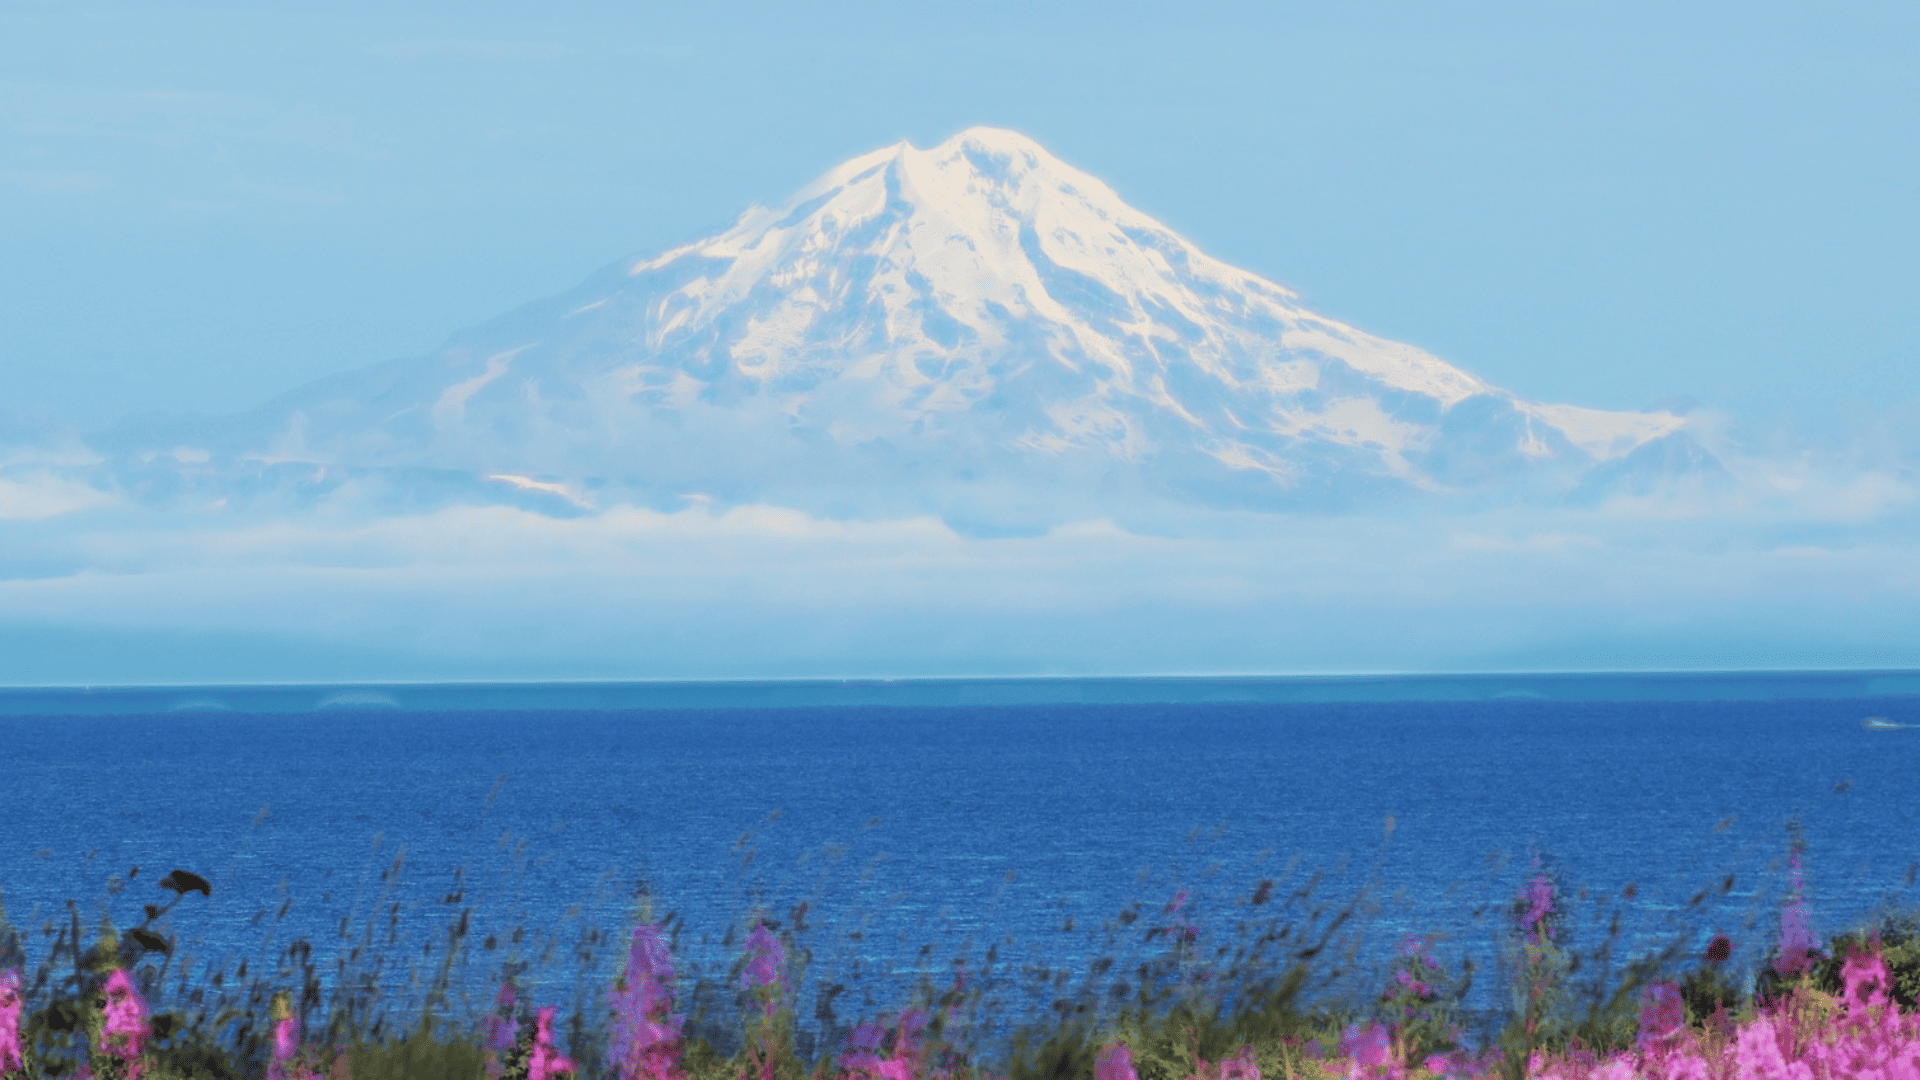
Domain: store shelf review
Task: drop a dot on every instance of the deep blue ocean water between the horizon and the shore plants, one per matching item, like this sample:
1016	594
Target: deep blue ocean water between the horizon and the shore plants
930	822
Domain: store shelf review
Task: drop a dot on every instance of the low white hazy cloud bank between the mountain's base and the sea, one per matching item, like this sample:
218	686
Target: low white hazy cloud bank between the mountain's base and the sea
1792	568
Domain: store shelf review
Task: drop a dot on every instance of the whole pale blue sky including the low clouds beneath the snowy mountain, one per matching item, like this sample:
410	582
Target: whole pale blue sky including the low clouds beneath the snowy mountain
1604	205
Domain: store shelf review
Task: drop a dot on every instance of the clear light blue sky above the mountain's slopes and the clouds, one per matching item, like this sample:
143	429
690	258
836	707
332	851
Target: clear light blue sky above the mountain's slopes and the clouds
1612	205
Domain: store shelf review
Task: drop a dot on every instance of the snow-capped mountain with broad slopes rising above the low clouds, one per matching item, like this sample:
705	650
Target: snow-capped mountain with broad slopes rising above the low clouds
955	330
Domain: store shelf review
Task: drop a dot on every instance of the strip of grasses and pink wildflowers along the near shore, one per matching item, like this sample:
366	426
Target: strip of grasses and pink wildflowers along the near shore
1170	1000
